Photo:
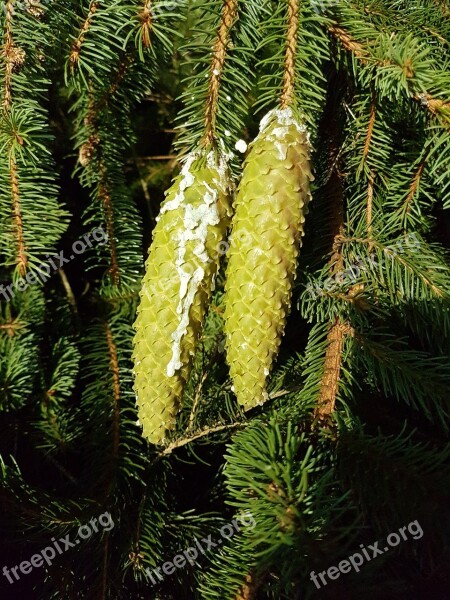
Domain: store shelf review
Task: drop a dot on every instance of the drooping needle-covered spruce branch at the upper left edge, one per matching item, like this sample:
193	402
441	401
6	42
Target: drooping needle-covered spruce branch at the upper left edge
27	175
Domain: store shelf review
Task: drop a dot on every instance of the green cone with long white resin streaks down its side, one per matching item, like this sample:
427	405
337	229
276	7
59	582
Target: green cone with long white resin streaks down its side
176	287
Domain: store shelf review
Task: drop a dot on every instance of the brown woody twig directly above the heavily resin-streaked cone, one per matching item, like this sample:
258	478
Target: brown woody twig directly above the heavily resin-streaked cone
229	15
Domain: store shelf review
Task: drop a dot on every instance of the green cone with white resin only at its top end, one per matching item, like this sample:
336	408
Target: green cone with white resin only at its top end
267	227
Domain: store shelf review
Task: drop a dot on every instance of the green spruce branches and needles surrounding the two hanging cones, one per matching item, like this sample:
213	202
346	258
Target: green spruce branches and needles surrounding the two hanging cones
101	102
